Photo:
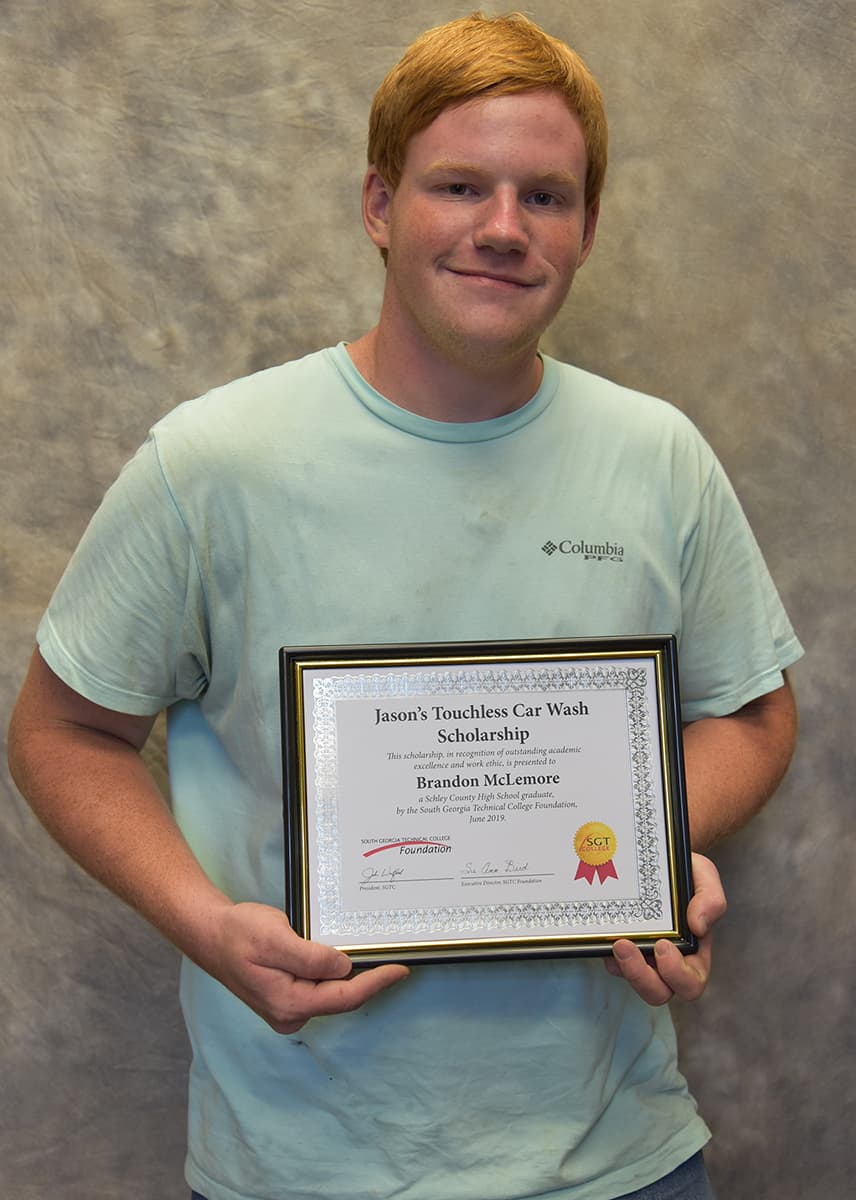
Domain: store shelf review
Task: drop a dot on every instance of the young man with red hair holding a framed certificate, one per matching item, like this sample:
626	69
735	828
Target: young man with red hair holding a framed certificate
283	509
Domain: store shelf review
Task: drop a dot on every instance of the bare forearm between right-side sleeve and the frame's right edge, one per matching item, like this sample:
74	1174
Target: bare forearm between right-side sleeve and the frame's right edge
735	764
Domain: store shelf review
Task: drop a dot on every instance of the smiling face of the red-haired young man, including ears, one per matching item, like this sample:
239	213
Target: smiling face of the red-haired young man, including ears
484	232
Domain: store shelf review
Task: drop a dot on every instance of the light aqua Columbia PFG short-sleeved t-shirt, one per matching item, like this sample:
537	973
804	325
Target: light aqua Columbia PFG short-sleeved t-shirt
300	507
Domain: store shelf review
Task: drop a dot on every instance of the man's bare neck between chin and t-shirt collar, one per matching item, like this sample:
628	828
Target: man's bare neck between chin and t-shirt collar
440	389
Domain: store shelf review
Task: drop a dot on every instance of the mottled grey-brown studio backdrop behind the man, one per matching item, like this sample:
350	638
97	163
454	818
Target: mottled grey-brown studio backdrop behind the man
179	207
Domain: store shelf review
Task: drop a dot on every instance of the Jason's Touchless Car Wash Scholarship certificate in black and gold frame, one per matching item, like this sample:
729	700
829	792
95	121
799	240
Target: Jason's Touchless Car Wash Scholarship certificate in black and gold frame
478	801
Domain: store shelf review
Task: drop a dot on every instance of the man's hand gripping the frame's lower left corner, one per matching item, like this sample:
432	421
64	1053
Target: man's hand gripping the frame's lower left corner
284	979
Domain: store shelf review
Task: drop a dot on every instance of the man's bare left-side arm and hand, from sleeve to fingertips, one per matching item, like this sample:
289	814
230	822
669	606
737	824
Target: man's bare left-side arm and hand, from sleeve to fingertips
80	767
